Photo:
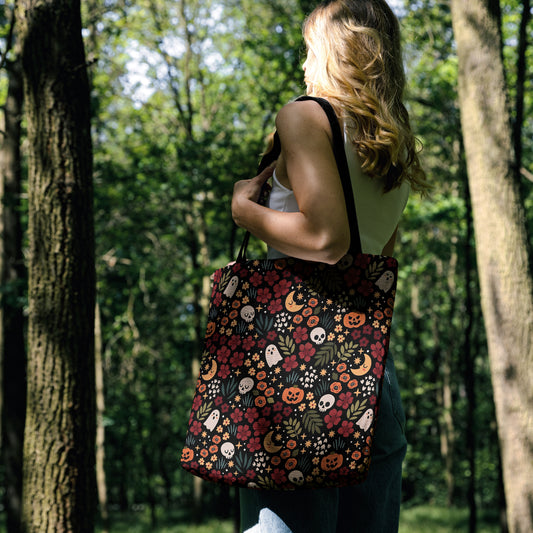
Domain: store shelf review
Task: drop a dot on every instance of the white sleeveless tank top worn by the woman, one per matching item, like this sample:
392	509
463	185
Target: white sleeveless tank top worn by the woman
378	212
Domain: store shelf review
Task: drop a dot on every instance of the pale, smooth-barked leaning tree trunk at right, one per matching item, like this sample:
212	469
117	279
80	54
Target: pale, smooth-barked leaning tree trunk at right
503	263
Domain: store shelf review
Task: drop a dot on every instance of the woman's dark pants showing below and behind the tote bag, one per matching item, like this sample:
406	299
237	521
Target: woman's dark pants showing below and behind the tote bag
371	507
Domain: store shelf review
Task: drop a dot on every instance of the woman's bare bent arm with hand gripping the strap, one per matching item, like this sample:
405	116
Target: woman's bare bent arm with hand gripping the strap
319	230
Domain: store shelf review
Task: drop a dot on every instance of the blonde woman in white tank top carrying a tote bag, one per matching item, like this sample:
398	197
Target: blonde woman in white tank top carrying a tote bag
354	61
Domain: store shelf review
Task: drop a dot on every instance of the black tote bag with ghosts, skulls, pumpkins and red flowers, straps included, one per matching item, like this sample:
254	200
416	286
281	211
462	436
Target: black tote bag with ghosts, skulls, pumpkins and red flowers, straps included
290	380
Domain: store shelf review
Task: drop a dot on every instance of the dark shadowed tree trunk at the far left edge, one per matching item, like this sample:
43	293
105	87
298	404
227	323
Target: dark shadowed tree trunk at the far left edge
13	275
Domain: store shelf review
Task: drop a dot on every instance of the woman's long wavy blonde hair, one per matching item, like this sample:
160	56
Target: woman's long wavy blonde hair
359	69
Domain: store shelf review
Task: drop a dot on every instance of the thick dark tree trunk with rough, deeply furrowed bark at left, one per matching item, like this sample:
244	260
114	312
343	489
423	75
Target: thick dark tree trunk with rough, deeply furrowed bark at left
59	460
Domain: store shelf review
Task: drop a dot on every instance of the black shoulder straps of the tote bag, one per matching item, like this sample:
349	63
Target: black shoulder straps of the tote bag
342	165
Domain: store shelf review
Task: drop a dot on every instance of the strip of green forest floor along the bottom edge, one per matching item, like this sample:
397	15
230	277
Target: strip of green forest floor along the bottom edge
420	519
